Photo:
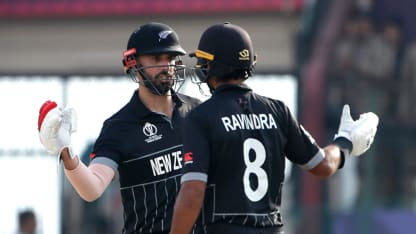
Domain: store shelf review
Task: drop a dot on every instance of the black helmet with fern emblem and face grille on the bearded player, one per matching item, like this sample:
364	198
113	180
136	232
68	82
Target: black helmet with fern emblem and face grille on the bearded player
154	39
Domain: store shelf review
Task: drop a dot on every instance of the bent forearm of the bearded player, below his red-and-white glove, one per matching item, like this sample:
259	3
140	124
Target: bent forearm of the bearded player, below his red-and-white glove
89	182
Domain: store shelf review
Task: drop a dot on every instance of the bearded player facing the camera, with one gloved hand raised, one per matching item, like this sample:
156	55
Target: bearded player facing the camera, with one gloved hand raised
142	141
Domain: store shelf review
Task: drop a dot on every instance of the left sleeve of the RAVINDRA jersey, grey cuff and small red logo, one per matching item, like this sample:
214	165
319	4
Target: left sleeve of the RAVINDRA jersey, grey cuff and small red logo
196	149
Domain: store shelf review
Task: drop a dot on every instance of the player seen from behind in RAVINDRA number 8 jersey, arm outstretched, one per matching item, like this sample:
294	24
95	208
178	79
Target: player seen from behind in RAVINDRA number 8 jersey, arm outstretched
235	144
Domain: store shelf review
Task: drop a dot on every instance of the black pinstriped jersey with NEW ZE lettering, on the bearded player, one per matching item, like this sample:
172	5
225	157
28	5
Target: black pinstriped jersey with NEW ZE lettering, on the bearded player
146	149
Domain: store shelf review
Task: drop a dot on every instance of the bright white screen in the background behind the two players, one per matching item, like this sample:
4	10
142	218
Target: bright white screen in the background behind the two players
28	175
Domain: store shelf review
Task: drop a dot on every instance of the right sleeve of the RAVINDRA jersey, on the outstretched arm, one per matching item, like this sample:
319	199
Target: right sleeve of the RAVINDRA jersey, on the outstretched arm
301	147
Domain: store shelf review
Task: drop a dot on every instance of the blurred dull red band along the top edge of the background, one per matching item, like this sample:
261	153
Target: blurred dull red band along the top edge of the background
74	8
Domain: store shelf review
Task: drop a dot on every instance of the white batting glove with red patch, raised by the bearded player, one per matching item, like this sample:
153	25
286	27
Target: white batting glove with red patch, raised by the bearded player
55	127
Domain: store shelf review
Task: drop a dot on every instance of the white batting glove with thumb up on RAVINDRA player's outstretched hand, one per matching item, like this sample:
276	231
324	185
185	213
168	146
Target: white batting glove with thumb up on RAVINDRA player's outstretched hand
356	137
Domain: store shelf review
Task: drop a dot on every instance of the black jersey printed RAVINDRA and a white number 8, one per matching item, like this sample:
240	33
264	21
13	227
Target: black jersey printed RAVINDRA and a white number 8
237	142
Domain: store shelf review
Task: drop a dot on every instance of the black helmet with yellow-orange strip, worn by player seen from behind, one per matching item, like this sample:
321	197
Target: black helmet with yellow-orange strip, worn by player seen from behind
228	49
